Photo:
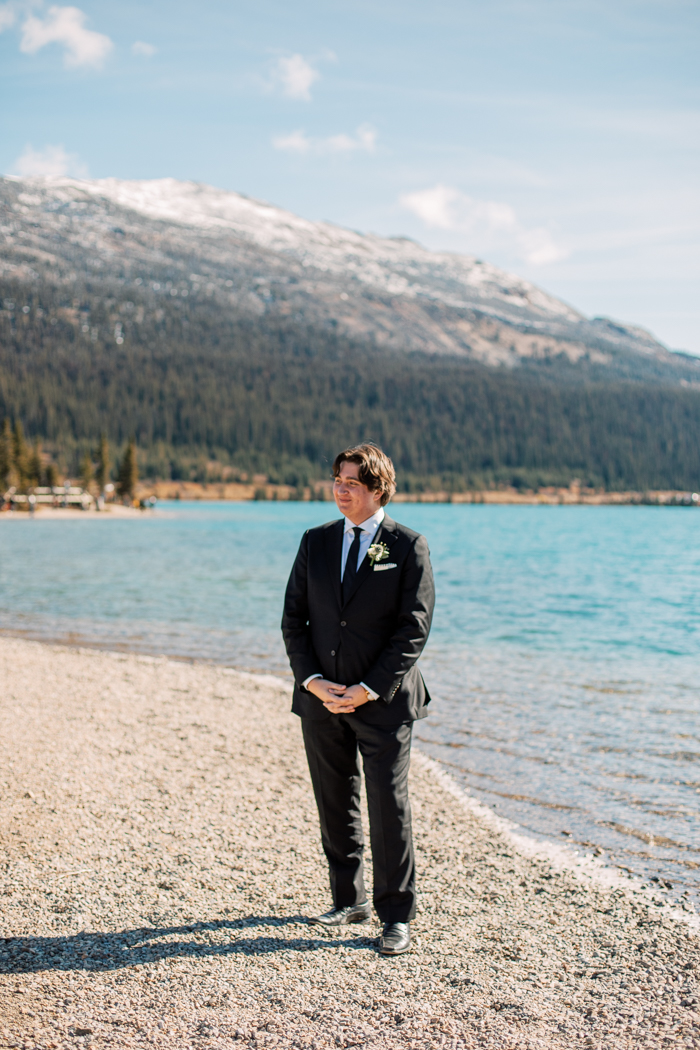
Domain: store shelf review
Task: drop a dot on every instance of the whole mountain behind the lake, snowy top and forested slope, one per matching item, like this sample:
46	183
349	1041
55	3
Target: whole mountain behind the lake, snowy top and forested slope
247	341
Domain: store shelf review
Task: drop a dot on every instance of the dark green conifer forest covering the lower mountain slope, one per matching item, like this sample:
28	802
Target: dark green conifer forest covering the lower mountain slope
203	393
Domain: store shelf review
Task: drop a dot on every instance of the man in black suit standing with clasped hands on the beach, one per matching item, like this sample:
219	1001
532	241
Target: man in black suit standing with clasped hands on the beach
357	616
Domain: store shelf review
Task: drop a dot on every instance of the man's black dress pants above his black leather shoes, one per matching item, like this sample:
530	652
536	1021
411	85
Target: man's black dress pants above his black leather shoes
332	749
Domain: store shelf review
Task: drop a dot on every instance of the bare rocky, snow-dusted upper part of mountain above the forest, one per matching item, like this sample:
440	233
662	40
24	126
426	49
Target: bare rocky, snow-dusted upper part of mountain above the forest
253	258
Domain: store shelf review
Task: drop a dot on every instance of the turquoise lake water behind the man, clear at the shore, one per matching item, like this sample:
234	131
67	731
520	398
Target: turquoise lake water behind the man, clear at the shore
564	661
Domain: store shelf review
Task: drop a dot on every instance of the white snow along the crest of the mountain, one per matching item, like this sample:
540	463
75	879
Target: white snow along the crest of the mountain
397	267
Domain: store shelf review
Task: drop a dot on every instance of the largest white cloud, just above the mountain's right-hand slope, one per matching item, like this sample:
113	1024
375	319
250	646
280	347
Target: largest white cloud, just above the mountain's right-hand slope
490	224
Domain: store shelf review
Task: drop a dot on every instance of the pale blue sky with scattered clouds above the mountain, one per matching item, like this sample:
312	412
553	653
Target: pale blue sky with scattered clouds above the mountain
557	139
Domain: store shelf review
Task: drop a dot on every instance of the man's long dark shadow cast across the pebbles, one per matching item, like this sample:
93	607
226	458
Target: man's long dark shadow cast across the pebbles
149	944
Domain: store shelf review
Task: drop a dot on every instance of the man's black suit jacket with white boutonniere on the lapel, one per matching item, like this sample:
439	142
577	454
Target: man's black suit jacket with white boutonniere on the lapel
376	637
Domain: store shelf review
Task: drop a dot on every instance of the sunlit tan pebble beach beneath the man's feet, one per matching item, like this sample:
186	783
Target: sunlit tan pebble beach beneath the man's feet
161	853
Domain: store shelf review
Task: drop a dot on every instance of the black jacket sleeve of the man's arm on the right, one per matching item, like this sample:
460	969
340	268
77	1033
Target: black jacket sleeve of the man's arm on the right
413	627
